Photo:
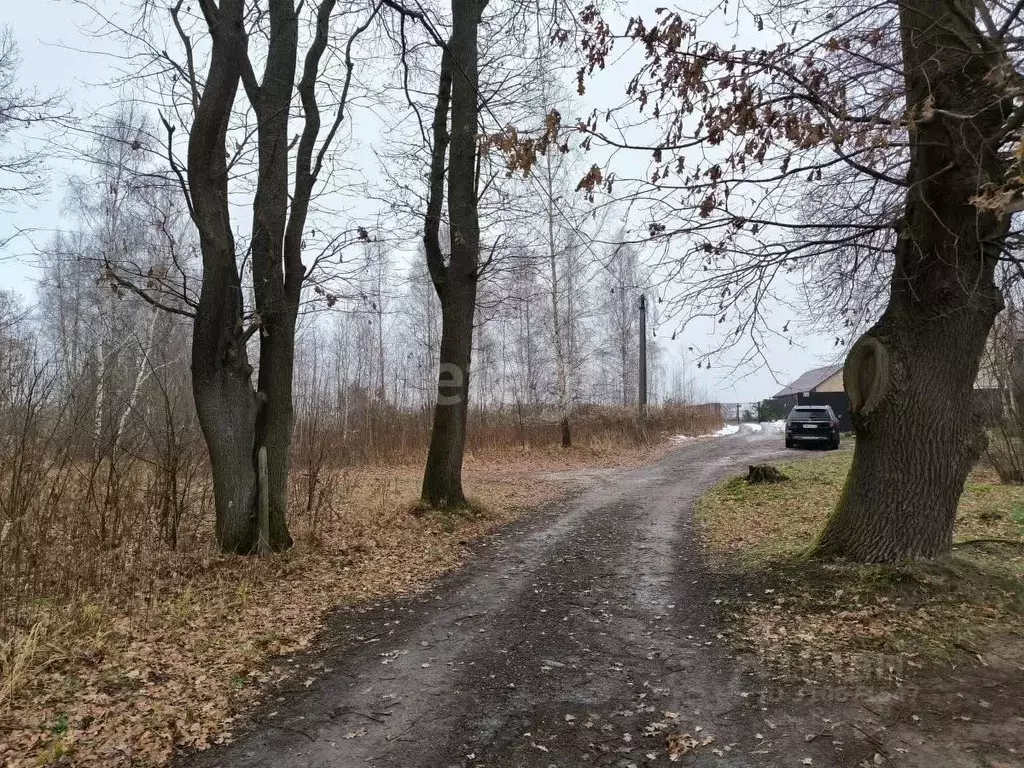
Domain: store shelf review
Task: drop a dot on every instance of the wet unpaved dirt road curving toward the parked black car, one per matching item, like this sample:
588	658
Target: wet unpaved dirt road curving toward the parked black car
567	637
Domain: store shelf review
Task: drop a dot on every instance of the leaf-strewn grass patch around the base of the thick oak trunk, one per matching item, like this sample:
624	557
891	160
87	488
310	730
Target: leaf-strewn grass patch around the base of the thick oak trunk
822	621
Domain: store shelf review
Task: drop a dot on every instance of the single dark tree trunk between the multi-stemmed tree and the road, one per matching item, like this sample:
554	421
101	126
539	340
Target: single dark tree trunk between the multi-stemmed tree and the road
455	282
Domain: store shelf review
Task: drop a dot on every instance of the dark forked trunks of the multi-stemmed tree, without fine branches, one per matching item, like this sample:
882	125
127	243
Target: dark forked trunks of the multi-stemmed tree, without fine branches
238	421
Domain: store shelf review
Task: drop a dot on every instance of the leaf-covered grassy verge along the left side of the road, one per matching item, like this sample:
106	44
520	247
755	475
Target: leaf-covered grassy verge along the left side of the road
106	680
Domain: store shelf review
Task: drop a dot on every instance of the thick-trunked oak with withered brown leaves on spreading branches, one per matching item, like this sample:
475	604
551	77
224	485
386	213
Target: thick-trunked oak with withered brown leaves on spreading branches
917	103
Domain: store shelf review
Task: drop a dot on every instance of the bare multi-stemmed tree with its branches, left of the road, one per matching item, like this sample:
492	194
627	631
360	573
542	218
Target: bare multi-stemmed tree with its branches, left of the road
239	127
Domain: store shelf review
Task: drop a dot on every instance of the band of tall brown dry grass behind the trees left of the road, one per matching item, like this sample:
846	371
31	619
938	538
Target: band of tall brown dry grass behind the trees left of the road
74	523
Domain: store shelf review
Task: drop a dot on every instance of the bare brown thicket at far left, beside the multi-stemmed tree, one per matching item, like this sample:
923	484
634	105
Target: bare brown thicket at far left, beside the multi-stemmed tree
87	517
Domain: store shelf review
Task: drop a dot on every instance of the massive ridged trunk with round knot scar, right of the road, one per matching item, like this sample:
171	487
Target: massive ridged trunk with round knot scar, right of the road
911	378
